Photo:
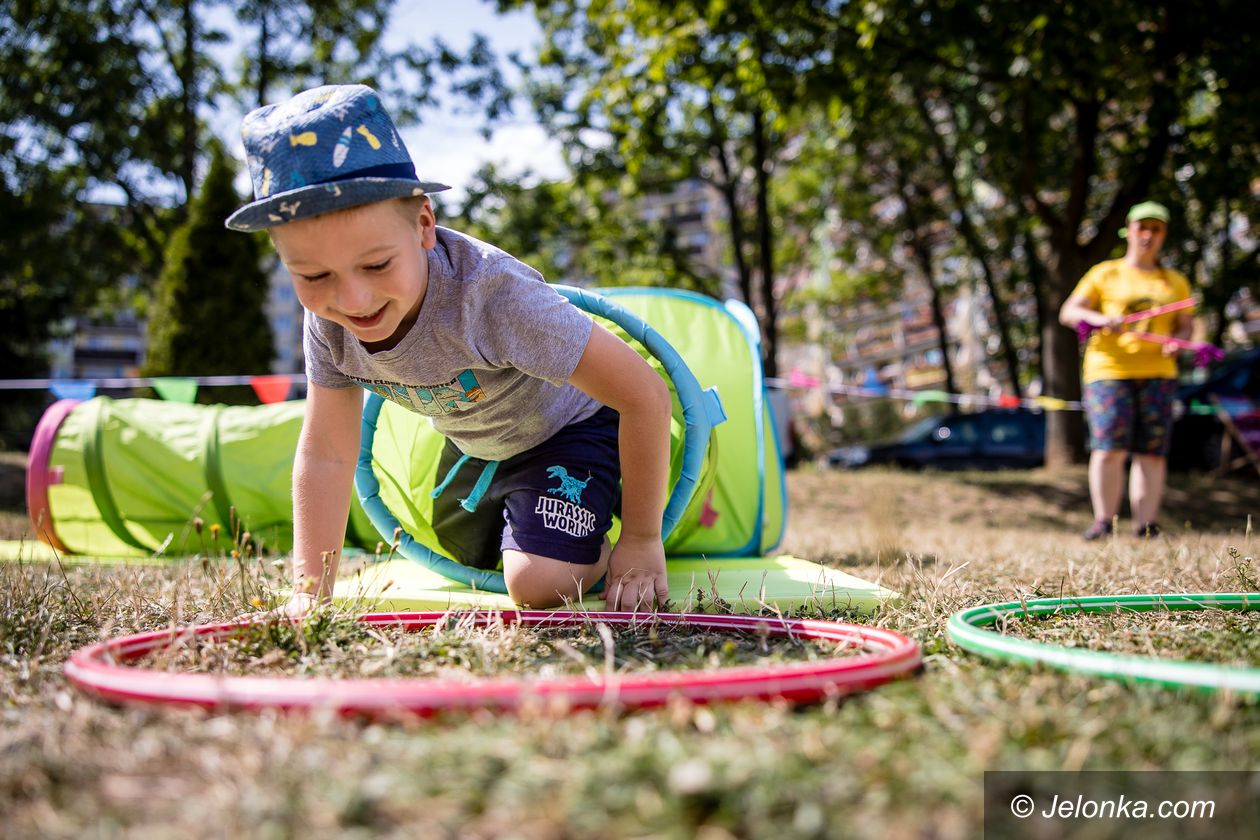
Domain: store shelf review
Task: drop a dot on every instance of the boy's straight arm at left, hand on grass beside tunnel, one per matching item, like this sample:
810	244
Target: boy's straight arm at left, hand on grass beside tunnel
328	450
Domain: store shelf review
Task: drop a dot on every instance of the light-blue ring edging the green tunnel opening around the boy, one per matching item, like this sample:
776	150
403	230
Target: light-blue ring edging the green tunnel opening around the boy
701	409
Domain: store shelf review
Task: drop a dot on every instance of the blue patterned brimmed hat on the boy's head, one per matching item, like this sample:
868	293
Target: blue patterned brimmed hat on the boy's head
326	149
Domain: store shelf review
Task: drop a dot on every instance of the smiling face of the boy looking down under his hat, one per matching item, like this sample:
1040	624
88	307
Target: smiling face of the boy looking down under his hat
365	269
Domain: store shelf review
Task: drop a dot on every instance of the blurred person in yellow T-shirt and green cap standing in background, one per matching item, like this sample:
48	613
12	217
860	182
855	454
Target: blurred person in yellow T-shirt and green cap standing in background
1130	382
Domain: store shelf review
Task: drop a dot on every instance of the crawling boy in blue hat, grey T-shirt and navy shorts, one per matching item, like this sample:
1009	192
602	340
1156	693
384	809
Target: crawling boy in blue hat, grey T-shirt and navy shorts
520	382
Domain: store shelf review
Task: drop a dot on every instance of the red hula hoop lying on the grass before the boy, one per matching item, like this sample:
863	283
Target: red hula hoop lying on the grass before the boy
100	671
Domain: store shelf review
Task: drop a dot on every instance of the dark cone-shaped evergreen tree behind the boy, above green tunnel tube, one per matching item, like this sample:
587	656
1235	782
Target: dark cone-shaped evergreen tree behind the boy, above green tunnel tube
207	317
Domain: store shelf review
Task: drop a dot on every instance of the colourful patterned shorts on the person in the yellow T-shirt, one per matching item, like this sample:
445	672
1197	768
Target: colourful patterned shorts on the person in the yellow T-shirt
1131	415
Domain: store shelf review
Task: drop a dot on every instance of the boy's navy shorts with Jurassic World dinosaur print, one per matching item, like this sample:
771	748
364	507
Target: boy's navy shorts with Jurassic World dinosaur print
556	501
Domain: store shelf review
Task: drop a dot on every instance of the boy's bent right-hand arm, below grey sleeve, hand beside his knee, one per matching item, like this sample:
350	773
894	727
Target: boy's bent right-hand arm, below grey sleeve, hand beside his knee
613	373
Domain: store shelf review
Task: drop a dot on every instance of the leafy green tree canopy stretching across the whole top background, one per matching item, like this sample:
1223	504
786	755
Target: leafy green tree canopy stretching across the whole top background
994	145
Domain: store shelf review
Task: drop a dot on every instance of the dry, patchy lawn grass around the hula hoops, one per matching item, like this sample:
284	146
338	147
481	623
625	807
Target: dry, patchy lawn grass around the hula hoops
905	760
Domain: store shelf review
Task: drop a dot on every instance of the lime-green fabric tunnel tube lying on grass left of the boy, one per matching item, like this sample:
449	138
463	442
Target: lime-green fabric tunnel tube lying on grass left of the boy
125	478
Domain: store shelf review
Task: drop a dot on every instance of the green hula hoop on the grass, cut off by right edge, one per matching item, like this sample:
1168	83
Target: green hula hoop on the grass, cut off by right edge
966	629
